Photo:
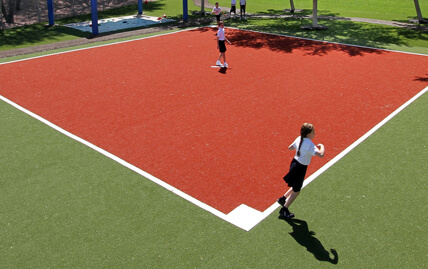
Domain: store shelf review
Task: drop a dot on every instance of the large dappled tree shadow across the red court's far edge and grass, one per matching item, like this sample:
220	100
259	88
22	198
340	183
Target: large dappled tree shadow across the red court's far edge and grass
364	35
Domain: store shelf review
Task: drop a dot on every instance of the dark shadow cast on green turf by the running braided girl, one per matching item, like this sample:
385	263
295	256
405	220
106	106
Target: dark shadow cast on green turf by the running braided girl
306	238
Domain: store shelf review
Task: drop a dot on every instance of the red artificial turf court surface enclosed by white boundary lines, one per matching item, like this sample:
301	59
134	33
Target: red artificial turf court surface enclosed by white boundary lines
220	137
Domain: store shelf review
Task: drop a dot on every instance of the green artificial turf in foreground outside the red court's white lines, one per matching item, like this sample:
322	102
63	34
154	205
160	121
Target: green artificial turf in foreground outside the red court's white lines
66	206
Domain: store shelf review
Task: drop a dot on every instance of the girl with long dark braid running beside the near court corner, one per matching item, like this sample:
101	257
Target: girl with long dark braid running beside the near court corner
305	149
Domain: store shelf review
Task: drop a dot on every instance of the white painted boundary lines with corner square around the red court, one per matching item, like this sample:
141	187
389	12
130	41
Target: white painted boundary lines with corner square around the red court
243	216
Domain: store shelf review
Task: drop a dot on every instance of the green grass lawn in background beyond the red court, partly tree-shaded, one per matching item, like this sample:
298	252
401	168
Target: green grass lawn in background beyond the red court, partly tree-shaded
397	10
